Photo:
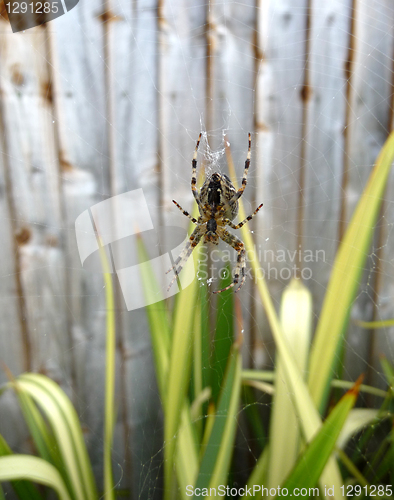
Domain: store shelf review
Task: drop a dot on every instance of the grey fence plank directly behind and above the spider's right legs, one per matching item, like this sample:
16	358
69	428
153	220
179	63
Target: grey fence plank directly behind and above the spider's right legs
233	73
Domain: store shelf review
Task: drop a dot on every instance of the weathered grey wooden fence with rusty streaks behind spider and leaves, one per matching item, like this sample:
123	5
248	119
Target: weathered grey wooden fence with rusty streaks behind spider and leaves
111	97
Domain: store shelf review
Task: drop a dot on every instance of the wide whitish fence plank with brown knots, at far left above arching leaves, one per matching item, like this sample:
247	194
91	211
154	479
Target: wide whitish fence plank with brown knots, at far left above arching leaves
35	194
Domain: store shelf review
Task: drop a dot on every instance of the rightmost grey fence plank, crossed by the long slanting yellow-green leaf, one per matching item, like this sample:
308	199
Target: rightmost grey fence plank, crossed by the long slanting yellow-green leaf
369	123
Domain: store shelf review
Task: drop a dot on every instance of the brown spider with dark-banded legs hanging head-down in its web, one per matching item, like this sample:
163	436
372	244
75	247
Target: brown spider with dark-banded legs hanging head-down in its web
218	205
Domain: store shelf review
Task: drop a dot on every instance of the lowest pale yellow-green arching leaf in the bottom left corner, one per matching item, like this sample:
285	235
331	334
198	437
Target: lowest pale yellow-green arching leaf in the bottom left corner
16	467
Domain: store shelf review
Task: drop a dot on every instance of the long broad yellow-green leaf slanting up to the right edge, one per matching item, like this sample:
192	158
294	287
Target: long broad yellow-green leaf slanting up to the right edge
345	277
